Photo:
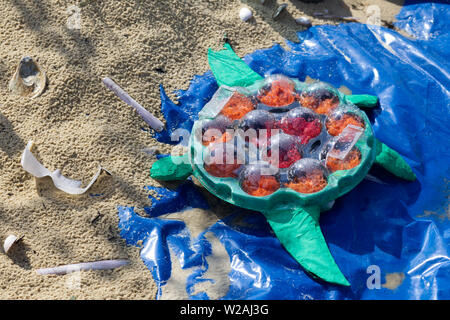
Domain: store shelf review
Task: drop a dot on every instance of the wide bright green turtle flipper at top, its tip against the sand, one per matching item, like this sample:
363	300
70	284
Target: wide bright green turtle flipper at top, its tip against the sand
229	69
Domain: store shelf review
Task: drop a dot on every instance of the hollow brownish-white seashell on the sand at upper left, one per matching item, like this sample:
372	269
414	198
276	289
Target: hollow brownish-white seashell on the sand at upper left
29	80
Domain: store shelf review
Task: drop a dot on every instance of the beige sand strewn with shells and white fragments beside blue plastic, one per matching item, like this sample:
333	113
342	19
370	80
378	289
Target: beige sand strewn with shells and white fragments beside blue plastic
76	124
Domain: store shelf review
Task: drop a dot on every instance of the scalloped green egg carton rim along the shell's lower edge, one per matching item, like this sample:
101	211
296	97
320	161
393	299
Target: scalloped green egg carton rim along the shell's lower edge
339	182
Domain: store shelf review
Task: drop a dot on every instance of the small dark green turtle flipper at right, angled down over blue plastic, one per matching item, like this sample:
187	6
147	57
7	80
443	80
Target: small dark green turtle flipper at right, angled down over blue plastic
393	162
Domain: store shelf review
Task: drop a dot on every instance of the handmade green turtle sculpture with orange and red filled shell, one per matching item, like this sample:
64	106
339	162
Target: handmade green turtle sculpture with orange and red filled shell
285	148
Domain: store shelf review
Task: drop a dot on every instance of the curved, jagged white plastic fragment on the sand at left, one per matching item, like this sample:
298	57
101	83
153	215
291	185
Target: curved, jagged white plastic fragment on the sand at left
33	166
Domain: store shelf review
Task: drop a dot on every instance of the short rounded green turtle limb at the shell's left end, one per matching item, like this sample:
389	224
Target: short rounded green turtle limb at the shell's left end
171	168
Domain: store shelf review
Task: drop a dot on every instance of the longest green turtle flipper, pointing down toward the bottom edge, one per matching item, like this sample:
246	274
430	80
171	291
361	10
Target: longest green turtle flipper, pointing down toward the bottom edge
299	232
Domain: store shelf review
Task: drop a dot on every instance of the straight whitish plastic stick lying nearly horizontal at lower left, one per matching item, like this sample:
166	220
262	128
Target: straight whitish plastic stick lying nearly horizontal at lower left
97	265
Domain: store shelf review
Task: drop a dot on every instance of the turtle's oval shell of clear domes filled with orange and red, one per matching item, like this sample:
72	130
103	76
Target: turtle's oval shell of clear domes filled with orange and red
298	144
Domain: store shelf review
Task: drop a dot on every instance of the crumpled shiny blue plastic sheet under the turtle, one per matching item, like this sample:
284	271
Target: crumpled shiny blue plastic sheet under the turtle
394	235
